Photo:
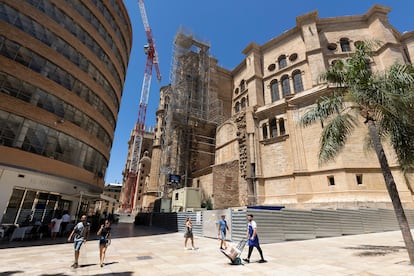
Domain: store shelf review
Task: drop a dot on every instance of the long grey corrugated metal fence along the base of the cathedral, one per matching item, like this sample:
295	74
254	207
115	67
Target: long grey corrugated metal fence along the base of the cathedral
286	224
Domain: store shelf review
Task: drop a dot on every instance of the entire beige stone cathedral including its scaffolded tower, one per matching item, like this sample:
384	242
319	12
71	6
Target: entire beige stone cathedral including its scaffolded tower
235	134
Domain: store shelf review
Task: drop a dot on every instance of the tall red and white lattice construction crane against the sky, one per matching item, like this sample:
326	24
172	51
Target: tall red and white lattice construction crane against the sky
139	130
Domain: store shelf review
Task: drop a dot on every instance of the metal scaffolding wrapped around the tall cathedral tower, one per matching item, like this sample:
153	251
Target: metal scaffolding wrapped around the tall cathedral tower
192	112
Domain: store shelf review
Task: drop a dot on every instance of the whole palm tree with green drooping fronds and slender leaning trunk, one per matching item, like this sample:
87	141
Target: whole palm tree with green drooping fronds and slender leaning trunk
385	100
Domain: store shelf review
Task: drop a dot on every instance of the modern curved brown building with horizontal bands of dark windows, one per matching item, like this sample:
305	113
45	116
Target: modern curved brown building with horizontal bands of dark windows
63	66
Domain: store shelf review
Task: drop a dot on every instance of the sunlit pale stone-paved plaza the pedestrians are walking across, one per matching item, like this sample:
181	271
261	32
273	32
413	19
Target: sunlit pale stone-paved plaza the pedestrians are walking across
140	250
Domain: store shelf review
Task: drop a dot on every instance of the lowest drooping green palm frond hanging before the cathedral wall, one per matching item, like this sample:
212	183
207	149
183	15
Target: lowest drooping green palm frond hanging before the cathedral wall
334	136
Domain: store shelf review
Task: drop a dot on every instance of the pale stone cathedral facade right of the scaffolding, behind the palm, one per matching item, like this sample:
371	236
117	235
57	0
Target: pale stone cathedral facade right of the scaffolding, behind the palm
263	156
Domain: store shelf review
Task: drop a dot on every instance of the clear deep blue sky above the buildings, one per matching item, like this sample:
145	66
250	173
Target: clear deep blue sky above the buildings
229	26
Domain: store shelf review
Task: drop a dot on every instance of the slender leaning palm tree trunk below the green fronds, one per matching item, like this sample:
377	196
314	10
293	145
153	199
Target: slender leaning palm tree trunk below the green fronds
392	190
